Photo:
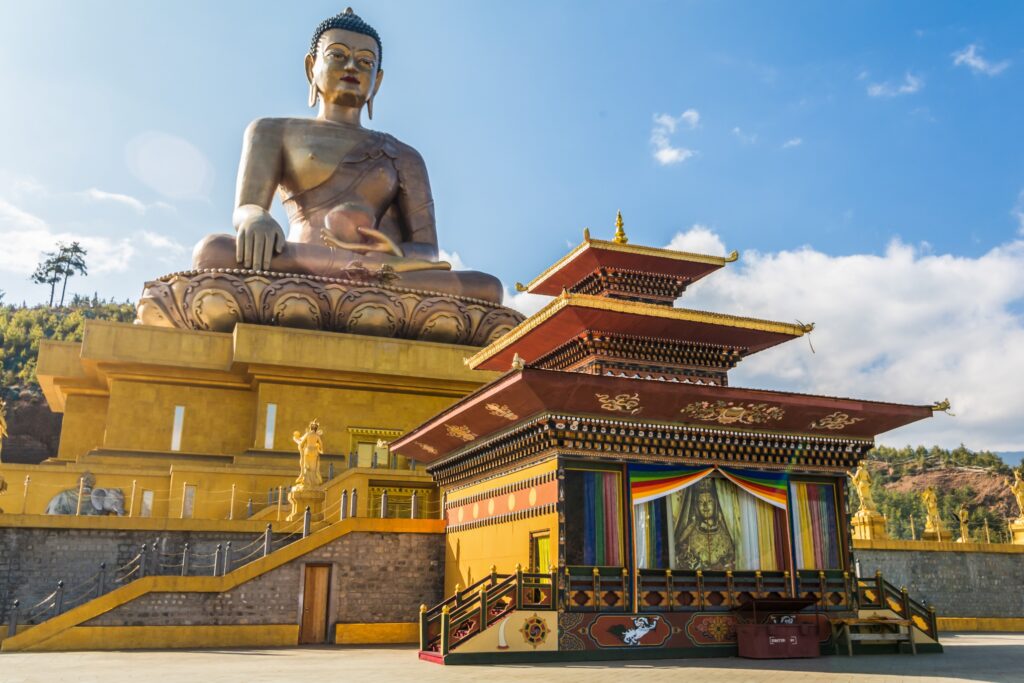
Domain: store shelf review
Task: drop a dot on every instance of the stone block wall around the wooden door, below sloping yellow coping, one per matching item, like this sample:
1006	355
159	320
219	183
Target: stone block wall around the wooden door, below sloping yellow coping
375	578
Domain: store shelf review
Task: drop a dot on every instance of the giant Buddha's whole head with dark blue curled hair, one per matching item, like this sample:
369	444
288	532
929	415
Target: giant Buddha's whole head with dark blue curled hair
345	62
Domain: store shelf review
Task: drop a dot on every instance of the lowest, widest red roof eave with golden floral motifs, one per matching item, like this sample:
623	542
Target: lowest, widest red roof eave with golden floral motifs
522	395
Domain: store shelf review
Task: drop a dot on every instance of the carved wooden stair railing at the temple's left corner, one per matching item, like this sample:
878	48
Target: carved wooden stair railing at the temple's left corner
471	611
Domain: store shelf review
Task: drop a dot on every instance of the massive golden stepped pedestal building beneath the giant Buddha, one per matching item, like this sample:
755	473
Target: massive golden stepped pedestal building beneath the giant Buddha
179	418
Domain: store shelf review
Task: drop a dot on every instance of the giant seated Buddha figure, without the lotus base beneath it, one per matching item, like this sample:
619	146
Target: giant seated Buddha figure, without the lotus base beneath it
355	197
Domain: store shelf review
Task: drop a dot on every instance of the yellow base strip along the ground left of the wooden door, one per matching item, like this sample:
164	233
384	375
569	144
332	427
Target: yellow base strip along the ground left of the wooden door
172	637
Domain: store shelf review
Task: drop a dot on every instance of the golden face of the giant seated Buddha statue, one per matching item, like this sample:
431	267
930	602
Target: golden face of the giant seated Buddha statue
346	69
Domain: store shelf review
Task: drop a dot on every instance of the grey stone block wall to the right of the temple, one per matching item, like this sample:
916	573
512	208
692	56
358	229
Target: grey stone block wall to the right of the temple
958	584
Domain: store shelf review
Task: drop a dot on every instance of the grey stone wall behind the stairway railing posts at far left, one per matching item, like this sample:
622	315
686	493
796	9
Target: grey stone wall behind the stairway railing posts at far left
33	560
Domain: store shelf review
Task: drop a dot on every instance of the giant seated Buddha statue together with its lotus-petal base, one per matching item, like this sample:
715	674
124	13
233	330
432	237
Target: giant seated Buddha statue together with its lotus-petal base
361	215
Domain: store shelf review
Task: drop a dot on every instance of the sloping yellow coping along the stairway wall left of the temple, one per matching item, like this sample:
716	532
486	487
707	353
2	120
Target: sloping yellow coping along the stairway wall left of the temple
34	638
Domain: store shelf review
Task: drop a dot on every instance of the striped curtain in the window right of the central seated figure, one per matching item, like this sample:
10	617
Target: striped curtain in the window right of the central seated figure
816	528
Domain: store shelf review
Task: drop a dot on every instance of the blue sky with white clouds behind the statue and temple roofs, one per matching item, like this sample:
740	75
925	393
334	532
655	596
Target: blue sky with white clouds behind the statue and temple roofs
872	148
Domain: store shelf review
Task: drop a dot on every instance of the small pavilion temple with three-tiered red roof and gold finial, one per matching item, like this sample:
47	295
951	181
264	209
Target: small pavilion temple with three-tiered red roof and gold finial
611	495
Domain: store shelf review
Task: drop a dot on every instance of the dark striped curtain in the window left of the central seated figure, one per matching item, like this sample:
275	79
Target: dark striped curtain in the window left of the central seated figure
603	530
